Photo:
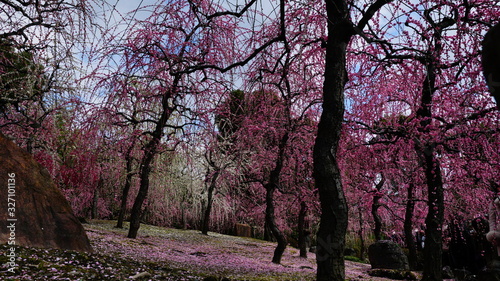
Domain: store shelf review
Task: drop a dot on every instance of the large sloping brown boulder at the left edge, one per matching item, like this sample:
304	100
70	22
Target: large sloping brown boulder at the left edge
33	211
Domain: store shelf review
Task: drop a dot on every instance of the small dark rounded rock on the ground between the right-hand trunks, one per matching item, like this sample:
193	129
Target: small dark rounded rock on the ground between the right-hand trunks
387	255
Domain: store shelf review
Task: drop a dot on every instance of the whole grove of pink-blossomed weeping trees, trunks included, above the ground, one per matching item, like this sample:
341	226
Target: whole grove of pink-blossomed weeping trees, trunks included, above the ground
355	115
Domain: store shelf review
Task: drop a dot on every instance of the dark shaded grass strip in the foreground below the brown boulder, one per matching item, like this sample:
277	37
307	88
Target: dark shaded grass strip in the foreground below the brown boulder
52	264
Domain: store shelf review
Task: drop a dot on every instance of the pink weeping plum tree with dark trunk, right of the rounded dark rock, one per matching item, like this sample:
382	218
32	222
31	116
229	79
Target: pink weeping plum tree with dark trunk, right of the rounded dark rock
434	112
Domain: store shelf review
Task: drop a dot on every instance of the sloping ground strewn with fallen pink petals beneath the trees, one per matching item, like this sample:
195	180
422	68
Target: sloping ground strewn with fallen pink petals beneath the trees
166	254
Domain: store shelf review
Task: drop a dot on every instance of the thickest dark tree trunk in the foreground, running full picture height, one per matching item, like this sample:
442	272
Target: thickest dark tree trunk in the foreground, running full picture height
334	212
